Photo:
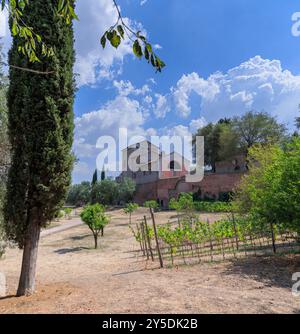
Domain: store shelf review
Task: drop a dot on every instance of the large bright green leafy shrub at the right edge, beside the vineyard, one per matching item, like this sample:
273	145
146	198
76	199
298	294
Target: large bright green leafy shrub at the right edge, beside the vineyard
269	195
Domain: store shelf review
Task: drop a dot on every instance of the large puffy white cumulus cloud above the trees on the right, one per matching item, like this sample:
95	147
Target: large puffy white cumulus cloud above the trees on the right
259	84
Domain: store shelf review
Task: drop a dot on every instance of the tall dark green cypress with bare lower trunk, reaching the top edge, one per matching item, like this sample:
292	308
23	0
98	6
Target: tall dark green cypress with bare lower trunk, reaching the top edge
41	134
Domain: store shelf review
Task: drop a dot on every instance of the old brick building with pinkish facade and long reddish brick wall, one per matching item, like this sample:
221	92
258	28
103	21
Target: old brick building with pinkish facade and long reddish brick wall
156	183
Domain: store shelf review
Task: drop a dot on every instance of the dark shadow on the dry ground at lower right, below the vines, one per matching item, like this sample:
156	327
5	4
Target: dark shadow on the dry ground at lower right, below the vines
268	270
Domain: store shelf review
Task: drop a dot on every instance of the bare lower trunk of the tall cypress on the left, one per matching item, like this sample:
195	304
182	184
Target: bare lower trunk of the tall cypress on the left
27	278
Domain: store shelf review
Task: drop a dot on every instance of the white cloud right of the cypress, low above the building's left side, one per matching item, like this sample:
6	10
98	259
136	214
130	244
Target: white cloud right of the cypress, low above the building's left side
122	112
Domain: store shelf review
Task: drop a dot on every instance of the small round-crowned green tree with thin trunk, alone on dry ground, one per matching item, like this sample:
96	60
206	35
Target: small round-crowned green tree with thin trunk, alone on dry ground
95	218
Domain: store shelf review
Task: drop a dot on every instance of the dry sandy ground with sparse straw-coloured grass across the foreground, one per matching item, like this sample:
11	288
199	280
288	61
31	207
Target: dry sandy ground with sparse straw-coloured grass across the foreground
74	278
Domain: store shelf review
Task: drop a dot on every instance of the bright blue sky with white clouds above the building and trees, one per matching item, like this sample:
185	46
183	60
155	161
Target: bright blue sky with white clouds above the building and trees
223	58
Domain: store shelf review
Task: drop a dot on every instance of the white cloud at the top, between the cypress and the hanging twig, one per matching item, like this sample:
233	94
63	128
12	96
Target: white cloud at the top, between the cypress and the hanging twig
92	62
